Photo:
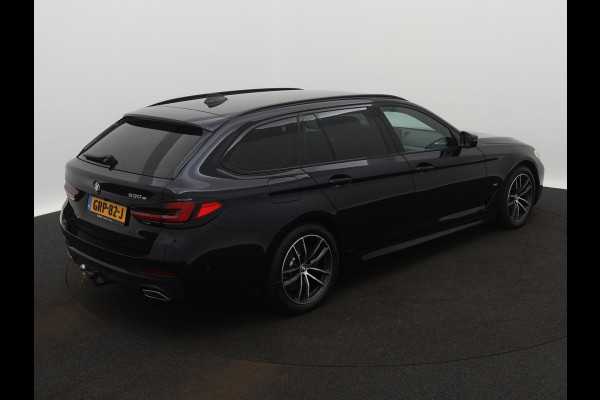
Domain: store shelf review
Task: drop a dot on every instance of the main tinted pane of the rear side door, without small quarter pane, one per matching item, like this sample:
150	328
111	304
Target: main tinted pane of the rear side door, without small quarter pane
353	133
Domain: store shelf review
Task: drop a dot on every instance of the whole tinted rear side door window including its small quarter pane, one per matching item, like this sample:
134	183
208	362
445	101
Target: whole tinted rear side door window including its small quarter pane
343	135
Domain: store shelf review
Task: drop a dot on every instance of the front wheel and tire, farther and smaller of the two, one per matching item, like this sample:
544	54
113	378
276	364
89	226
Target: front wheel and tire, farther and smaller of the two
516	198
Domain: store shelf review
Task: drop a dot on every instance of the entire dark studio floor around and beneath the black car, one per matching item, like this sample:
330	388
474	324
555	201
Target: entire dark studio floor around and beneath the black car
479	314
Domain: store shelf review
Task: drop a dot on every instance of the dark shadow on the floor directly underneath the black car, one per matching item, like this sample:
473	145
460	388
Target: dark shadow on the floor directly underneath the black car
224	304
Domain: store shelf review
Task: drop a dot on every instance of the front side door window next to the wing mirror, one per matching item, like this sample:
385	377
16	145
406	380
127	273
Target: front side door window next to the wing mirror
417	131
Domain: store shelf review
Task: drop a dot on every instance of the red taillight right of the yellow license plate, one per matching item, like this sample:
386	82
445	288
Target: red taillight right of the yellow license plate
177	212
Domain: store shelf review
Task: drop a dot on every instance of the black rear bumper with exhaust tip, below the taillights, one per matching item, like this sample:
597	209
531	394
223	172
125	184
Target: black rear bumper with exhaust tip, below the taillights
235	258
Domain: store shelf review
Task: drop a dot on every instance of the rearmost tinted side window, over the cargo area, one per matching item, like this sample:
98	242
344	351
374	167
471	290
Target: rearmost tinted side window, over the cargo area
268	147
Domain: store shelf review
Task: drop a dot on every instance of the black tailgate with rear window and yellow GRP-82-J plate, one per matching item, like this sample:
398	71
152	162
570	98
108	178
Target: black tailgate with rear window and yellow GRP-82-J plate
125	168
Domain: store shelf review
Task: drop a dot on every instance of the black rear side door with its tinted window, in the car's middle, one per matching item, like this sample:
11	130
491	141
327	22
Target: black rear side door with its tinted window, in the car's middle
353	160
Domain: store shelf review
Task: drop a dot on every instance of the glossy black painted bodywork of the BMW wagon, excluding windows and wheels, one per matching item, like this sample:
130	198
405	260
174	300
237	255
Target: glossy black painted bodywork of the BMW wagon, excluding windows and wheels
372	206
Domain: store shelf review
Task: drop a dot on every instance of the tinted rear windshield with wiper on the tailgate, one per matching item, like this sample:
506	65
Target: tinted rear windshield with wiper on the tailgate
143	147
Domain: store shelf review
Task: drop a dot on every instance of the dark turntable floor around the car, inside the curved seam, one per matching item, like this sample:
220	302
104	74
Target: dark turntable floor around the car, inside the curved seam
475	292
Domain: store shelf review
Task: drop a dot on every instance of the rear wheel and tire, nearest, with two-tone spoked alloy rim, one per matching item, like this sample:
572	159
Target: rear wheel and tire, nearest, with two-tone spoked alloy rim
302	270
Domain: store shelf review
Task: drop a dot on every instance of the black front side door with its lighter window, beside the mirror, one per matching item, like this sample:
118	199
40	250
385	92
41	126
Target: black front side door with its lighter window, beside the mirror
450	181
